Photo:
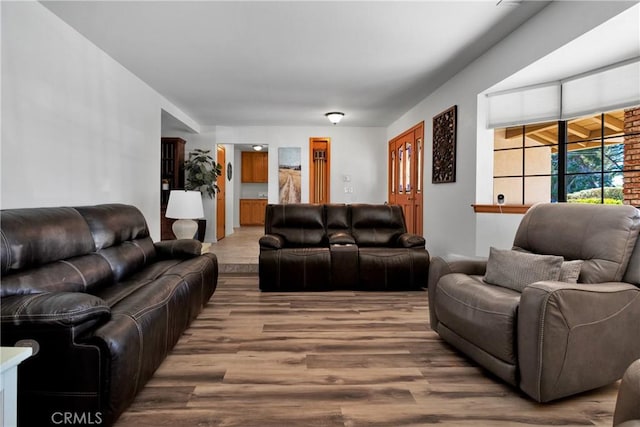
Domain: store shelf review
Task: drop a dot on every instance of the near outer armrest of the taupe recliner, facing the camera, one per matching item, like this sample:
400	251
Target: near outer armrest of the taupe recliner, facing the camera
566	330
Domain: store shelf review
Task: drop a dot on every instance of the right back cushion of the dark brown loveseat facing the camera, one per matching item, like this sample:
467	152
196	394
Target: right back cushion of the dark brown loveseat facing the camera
377	225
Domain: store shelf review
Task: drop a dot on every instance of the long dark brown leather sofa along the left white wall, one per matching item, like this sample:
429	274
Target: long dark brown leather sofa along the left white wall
100	304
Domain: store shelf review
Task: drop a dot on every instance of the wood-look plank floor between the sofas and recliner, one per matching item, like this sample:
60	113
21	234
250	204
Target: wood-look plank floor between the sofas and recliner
333	359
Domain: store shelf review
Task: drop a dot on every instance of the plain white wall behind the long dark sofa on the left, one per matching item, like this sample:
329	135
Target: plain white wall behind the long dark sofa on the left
77	127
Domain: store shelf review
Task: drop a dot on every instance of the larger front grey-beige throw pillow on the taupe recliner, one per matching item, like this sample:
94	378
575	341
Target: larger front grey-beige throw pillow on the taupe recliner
515	269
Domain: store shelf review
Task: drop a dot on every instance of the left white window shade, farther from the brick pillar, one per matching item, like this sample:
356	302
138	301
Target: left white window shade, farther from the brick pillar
521	106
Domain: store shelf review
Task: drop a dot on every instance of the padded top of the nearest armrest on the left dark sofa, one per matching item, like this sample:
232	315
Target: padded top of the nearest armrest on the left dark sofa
59	308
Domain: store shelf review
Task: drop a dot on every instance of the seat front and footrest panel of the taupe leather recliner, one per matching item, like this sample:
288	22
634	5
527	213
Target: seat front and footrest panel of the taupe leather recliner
482	314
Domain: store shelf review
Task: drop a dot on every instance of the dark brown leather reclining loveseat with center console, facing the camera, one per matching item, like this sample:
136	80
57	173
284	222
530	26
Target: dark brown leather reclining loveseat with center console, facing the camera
323	247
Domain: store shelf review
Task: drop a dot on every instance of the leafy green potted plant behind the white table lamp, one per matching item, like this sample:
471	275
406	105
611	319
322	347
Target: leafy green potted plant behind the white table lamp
201	173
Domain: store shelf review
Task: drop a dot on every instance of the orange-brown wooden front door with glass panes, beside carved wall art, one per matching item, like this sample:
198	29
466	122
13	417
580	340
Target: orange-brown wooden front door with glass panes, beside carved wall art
406	163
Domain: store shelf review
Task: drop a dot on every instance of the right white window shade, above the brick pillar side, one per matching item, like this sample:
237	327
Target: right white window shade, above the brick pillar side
607	89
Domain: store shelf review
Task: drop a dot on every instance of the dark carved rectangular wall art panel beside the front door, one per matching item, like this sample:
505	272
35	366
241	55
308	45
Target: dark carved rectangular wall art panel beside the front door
444	146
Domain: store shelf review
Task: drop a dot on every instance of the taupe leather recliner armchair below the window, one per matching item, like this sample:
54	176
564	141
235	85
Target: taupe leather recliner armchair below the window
552	339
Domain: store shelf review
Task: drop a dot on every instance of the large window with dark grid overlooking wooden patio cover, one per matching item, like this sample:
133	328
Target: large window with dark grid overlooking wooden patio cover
580	160
